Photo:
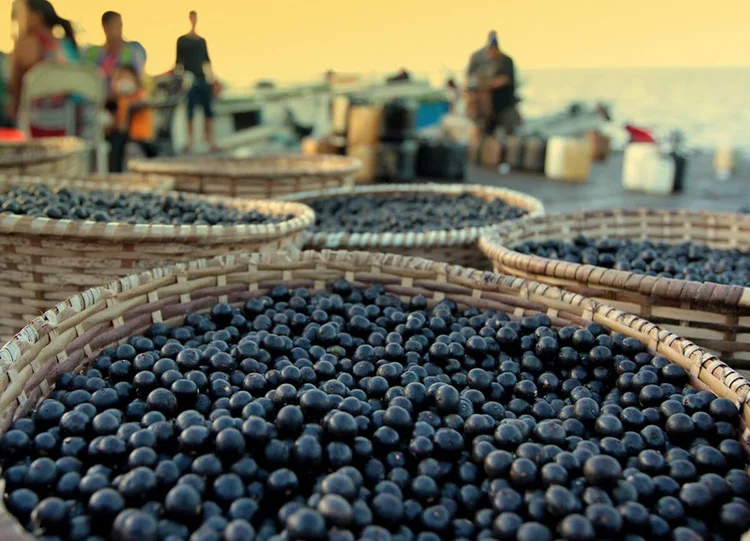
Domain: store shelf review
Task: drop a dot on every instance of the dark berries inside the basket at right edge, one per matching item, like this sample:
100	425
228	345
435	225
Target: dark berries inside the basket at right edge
684	261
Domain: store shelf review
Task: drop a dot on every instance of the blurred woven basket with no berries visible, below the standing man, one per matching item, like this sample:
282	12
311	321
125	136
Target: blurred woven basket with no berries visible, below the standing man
264	177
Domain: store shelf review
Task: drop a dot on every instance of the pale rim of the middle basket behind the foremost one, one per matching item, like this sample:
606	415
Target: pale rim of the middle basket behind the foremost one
435	238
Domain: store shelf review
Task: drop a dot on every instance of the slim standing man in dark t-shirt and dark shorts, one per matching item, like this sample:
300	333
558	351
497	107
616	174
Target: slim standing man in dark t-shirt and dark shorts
192	56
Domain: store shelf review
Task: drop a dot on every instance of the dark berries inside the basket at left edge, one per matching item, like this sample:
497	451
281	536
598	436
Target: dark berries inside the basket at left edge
132	208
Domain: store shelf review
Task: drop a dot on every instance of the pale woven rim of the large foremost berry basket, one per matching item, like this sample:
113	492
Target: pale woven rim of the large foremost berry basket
655	338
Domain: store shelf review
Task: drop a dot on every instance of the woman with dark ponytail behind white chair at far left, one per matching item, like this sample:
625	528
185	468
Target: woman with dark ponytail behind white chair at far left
49	116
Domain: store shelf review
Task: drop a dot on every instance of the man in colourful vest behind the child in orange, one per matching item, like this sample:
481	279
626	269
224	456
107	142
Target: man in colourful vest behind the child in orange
115	52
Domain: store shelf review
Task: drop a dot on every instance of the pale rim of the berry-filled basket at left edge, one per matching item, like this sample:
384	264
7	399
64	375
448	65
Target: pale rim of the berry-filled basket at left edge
303	217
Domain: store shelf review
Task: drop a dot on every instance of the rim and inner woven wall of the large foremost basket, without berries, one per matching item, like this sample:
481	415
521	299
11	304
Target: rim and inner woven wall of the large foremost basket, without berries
69	336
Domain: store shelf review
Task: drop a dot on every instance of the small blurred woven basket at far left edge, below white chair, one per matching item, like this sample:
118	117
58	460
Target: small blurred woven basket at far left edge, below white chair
58	156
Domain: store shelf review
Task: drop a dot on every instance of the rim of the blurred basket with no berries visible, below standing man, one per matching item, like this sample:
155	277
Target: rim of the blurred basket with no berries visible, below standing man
258	168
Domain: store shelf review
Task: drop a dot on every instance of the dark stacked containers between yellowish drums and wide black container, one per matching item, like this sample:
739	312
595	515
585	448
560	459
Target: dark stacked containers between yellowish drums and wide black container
397	152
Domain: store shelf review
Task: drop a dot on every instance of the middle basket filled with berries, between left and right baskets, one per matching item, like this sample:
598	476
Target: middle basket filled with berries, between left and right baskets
437	221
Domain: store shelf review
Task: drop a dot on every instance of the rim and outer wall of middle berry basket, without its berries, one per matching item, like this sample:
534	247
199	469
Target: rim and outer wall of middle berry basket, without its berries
456	246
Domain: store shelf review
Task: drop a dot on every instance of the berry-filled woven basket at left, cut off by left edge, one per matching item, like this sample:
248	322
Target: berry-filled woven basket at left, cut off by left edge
56	238
